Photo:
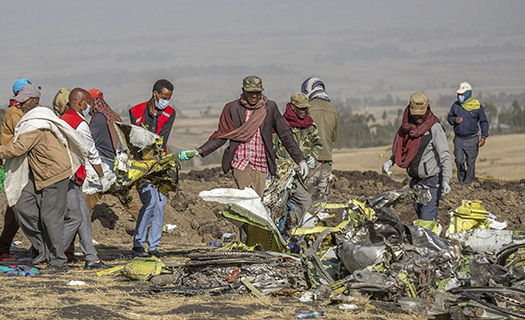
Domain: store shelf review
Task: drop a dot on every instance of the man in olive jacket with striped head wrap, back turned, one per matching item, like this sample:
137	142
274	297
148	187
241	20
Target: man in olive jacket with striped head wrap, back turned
326	117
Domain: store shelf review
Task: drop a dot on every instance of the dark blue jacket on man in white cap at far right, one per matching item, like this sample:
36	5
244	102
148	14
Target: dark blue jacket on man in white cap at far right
468	128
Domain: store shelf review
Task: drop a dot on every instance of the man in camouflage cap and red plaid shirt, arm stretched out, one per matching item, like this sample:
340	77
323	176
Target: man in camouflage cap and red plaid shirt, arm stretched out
248	123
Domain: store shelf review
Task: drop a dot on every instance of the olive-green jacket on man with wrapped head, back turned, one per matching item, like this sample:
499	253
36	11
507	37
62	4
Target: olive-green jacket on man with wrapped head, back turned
326	117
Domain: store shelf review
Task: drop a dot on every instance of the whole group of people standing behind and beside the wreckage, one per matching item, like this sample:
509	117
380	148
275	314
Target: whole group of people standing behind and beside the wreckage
46	151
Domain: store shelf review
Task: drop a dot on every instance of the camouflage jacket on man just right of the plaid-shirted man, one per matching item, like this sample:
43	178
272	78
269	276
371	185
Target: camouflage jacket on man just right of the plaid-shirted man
308	140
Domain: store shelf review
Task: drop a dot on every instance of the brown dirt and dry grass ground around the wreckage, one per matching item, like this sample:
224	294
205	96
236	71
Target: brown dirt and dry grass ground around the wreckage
197	221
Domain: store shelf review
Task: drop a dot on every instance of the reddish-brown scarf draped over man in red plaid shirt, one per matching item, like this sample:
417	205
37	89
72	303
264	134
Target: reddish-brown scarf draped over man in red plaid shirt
228	130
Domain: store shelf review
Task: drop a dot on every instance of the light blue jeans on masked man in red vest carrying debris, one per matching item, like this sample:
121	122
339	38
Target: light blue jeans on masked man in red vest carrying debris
153	204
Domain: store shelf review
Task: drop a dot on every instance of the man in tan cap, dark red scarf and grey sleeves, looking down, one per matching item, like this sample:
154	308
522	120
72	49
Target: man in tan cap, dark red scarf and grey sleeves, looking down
421	147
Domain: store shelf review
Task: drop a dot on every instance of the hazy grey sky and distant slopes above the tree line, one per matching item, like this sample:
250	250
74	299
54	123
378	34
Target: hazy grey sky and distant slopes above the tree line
206	47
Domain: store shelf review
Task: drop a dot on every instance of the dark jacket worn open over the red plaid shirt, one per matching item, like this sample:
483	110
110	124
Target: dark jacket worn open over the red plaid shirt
273	121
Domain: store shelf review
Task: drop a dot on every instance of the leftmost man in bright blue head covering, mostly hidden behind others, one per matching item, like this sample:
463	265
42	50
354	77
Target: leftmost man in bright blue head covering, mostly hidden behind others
11	118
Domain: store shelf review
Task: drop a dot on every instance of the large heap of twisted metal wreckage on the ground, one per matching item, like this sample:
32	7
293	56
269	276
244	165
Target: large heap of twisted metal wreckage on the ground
478	271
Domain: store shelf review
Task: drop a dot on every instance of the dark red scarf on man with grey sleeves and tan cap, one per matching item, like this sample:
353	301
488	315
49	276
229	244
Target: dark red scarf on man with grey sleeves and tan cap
409	136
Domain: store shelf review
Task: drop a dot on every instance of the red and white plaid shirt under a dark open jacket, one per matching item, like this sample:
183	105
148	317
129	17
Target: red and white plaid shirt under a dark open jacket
251	152
